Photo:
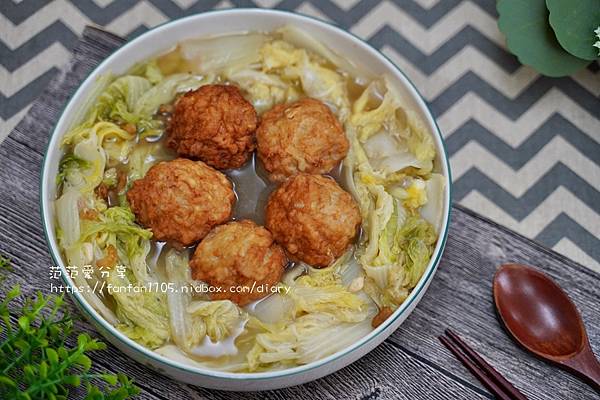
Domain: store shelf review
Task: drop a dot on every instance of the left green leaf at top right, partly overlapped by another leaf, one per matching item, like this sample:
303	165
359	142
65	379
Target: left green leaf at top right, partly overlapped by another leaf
530	37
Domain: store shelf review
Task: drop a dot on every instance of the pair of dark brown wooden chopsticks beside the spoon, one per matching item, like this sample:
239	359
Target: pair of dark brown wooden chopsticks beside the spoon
487	375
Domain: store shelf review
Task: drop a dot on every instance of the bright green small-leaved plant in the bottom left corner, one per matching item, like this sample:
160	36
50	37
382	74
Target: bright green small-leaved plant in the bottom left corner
38	359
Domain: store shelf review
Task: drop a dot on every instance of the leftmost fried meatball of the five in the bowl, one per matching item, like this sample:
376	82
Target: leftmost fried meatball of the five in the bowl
181	200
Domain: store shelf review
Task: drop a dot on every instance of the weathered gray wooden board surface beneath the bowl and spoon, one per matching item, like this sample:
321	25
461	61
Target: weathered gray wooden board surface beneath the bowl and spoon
411	364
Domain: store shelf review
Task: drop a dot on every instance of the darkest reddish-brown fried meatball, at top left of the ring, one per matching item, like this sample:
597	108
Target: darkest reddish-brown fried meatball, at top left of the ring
214	124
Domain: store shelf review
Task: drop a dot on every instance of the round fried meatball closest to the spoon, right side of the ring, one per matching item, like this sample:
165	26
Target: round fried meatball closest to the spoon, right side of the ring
313	218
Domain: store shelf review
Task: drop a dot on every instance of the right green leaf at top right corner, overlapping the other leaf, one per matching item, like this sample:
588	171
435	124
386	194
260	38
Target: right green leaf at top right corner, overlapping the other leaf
573	22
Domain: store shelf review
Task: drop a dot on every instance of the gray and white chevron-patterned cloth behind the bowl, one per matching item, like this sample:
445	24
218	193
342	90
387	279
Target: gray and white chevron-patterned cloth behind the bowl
525	149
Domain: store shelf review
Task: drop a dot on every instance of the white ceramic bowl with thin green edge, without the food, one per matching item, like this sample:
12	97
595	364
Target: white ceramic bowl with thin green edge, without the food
218	22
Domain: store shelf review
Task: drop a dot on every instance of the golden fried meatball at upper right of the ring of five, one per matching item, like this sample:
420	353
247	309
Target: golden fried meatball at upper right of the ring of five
303	136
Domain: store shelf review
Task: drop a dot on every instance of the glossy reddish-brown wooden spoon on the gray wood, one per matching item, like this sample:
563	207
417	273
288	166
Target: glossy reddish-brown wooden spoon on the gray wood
541	317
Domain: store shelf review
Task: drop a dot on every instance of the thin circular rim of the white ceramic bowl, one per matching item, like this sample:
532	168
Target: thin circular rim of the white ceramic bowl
415	295
